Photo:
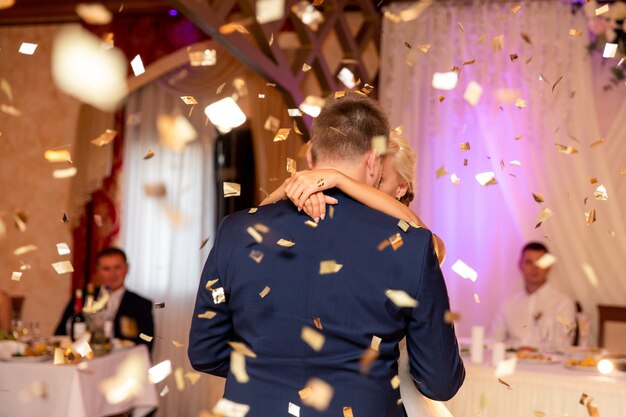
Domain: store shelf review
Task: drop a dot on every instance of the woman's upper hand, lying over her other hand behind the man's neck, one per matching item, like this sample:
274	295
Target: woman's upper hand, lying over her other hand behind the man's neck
303	184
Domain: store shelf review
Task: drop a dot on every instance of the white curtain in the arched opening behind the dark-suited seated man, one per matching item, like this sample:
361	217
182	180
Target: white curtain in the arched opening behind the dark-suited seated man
162	236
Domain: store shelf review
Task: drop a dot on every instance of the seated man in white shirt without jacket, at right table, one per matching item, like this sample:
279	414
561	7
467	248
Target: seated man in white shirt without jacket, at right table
539	315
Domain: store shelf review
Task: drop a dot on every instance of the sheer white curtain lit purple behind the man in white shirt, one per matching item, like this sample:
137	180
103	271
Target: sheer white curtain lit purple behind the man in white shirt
487	226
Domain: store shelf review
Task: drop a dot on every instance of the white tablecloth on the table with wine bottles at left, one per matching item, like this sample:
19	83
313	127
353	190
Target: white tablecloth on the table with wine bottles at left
69	392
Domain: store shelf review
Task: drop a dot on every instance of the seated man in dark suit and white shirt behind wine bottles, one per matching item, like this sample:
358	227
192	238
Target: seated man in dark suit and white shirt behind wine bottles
129	313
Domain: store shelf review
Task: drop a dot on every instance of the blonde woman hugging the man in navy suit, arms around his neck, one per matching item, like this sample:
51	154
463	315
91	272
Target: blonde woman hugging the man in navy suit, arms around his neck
395	192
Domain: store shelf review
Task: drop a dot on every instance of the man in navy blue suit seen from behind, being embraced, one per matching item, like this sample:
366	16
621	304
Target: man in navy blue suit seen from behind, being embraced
299	317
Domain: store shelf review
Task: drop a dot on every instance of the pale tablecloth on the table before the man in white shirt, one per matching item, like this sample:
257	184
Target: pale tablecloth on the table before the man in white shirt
549	388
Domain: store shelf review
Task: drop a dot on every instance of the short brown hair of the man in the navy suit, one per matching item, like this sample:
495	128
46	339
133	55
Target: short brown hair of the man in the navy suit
344	129
